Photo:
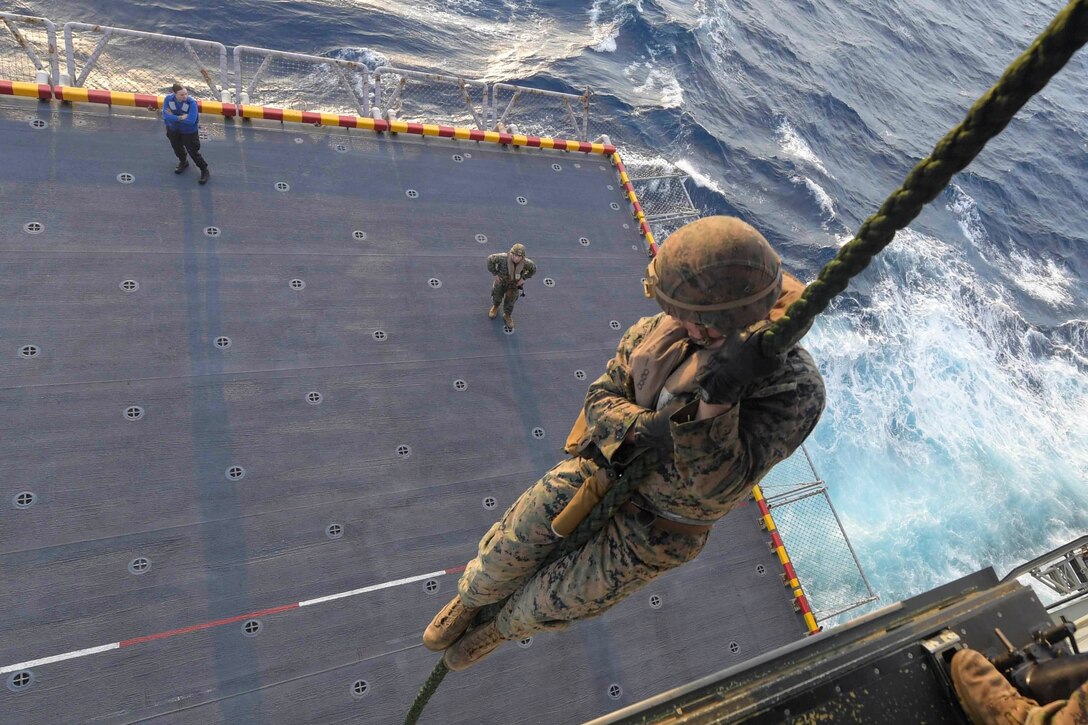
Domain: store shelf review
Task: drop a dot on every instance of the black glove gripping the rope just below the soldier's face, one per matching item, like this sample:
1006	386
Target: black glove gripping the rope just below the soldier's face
739	363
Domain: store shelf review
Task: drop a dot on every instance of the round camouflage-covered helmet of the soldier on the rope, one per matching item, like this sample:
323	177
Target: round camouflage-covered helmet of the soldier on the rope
716	272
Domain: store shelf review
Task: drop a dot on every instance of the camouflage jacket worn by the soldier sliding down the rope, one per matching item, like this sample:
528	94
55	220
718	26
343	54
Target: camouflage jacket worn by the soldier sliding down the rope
714	462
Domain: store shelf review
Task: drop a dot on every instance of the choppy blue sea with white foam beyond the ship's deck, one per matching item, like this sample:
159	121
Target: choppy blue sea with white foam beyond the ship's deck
957	428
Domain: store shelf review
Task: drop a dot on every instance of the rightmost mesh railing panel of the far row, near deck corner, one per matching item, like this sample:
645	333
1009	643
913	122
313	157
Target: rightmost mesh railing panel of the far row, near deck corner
541	113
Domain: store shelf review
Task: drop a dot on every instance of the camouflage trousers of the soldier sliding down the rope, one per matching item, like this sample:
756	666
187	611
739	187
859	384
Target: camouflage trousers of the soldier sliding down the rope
614	563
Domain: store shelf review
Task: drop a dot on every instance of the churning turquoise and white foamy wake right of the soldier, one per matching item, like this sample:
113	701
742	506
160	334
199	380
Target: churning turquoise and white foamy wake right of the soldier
951	423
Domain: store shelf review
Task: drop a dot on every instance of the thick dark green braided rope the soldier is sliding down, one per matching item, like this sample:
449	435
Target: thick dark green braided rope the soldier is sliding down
987	118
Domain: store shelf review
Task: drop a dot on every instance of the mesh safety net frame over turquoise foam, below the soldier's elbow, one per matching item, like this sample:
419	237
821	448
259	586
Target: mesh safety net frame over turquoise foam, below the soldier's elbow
831	573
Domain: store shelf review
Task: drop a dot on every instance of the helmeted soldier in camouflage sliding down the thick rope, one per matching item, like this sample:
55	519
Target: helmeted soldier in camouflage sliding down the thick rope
689	408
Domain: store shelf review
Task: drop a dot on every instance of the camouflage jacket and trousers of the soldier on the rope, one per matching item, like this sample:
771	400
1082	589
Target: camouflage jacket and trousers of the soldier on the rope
711	470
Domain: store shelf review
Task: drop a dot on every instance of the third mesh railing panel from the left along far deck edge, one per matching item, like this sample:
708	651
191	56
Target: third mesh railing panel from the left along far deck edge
300	82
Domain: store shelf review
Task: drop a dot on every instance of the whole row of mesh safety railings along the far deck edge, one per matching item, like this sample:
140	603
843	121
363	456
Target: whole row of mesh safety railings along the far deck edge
120	59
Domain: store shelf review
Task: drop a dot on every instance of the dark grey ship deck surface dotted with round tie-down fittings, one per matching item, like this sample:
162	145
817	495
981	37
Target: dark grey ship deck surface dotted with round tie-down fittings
431	422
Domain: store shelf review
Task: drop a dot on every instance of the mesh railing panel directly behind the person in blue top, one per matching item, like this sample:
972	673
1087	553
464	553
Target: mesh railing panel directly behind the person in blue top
133	62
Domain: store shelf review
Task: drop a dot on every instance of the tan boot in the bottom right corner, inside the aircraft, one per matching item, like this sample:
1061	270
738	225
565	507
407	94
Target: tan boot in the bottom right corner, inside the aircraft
985	694
